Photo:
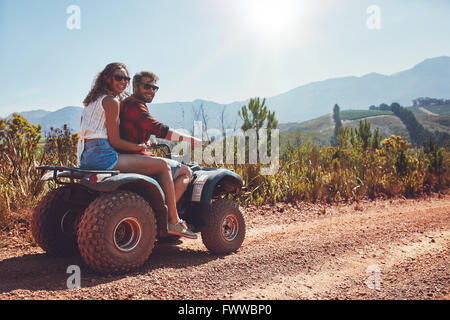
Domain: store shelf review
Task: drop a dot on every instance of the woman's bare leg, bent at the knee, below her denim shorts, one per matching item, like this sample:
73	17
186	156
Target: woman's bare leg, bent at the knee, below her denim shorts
152	166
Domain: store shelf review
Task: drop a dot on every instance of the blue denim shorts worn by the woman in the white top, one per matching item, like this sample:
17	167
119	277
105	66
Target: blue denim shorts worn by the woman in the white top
98	155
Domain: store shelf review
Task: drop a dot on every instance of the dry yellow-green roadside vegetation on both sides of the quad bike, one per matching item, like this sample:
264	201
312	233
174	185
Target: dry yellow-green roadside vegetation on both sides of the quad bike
359	164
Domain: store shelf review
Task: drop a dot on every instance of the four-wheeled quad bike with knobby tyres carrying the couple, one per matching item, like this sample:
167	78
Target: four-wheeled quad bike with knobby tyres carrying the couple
113	219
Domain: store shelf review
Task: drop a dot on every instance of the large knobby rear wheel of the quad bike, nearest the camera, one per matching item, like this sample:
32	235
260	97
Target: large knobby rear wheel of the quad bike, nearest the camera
117	232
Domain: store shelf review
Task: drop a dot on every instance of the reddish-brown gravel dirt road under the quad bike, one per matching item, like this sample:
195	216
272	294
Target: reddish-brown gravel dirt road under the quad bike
385	249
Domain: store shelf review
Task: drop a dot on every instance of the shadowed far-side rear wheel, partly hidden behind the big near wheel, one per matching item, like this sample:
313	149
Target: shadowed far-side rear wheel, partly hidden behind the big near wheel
55	219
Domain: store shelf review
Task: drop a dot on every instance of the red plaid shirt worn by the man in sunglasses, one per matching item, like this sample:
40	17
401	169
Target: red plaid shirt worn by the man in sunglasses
136	123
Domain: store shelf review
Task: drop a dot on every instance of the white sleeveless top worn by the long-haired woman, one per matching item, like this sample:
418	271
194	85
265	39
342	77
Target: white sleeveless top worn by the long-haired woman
92	125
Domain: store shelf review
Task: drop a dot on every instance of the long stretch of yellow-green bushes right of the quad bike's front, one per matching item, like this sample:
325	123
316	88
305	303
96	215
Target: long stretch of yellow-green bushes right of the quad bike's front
350	171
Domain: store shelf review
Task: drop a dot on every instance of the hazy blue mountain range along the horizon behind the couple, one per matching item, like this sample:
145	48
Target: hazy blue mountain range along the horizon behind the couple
430	78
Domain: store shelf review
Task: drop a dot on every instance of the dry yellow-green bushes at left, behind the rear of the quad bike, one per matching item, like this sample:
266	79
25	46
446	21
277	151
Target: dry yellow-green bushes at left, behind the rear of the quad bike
20	154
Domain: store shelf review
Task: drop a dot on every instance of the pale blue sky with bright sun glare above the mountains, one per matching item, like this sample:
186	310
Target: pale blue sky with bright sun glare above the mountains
218	50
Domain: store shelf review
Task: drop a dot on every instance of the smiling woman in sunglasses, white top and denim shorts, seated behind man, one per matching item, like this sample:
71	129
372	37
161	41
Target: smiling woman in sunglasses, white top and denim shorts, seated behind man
100	138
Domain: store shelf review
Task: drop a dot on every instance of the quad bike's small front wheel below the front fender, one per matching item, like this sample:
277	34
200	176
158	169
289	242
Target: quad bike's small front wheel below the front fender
226	227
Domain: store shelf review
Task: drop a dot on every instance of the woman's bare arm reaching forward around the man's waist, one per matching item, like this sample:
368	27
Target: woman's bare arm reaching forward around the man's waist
112	111
